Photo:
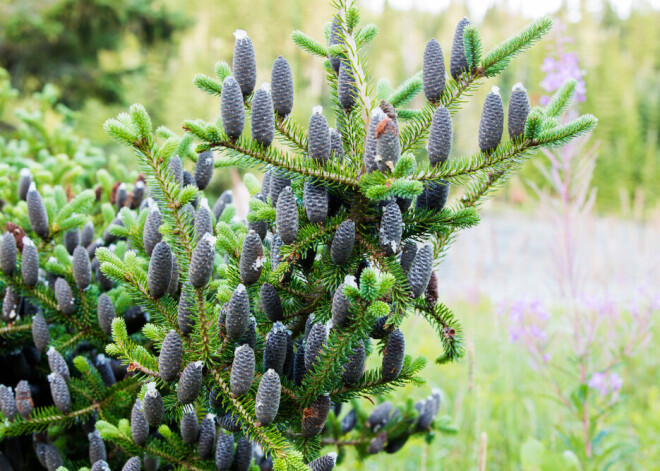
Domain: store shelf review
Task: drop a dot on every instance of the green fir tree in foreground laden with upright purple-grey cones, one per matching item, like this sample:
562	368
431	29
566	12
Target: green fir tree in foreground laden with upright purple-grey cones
188	337
